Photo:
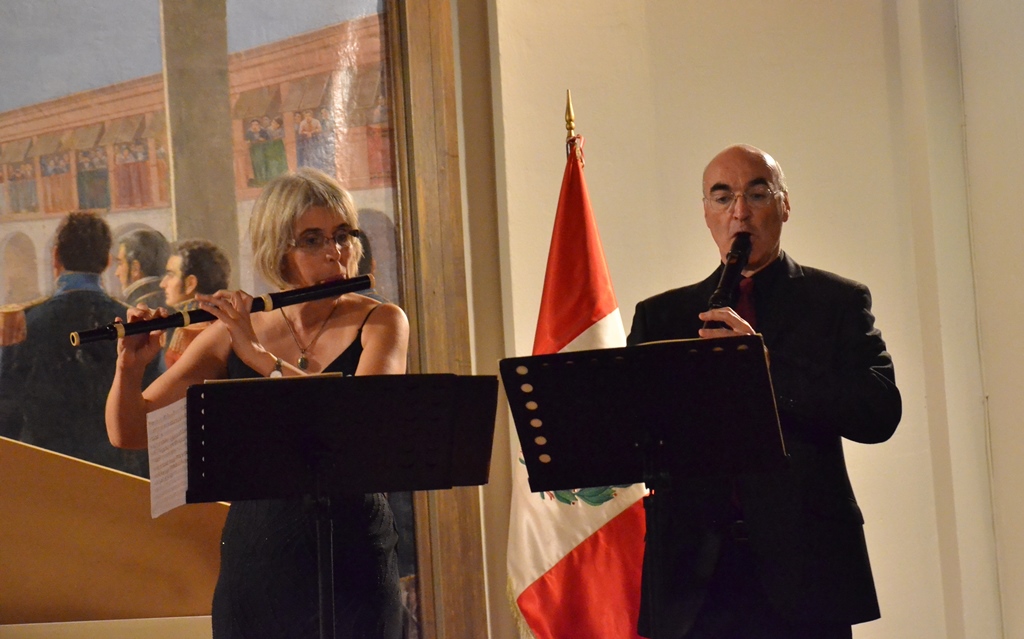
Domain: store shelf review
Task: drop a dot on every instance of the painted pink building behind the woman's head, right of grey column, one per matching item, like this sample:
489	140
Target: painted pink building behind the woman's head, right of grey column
321	100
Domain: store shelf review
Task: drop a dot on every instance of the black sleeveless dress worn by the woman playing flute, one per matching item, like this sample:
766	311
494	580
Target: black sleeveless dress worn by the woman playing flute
268	585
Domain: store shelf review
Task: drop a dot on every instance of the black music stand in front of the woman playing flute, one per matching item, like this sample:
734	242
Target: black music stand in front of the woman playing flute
344	435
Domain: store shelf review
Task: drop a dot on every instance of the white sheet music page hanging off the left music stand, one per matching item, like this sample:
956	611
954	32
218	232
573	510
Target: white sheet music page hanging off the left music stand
168	458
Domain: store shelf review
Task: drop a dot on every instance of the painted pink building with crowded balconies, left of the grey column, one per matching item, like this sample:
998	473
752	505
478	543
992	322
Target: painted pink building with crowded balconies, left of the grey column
114	166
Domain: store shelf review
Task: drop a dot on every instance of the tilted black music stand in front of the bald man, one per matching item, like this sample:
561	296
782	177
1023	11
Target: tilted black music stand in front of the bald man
658	413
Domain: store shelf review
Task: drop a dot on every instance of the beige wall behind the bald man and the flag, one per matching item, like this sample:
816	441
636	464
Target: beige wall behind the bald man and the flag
863	104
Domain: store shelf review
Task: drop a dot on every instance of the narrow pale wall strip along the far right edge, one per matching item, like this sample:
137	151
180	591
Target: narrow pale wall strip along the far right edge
994	66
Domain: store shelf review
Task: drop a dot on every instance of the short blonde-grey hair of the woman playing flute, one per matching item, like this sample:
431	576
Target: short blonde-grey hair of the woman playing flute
281	203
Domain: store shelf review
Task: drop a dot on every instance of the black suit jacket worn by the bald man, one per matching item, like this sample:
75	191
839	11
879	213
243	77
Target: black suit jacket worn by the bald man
833	379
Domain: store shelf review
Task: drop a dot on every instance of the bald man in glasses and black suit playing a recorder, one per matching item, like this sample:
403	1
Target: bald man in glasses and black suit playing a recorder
783	555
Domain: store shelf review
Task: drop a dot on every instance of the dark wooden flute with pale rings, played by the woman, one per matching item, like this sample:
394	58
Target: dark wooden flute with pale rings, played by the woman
270	302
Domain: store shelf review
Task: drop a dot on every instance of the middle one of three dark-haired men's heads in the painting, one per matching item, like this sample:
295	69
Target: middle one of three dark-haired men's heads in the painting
142	259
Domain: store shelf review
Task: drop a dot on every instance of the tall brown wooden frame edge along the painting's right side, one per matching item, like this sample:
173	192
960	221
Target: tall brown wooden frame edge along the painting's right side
449	532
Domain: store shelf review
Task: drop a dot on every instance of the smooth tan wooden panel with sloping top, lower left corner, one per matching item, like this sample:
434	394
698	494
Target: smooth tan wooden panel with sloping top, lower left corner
78	544
